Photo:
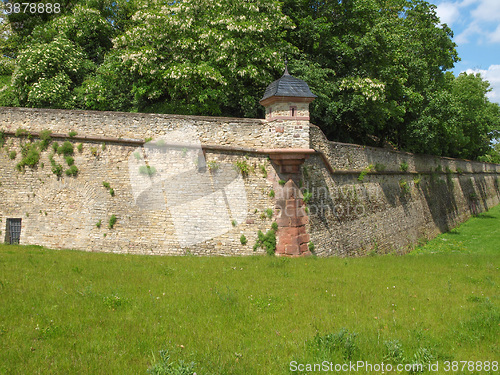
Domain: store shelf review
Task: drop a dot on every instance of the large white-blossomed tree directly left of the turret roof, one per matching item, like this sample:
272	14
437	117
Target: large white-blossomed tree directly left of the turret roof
204	56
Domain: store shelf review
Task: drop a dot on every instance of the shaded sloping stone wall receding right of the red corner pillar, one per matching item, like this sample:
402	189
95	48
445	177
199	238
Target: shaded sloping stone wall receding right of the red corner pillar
390	209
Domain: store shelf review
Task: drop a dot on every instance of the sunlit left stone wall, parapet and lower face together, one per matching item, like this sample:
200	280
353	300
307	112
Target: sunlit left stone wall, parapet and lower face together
180	209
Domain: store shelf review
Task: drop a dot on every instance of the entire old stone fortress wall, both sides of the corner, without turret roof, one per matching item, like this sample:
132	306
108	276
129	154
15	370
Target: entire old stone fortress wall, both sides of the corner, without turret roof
225	183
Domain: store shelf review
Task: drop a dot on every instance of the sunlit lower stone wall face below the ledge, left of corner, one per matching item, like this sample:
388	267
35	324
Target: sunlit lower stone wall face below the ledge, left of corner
163	216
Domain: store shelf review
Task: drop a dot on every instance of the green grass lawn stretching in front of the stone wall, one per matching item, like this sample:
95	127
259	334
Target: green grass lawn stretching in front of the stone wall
69	312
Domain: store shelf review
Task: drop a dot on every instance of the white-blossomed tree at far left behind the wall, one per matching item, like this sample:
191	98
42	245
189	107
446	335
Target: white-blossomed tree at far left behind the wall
59	53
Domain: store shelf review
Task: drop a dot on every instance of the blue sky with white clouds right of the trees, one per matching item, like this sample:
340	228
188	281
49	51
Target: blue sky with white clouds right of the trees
476	28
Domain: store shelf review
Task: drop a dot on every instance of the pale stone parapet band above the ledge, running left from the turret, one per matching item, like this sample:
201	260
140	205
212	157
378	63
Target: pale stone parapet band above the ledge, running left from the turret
250	133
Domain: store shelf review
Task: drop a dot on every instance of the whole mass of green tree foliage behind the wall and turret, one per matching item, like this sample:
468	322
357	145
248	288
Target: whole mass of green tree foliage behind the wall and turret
379	67
